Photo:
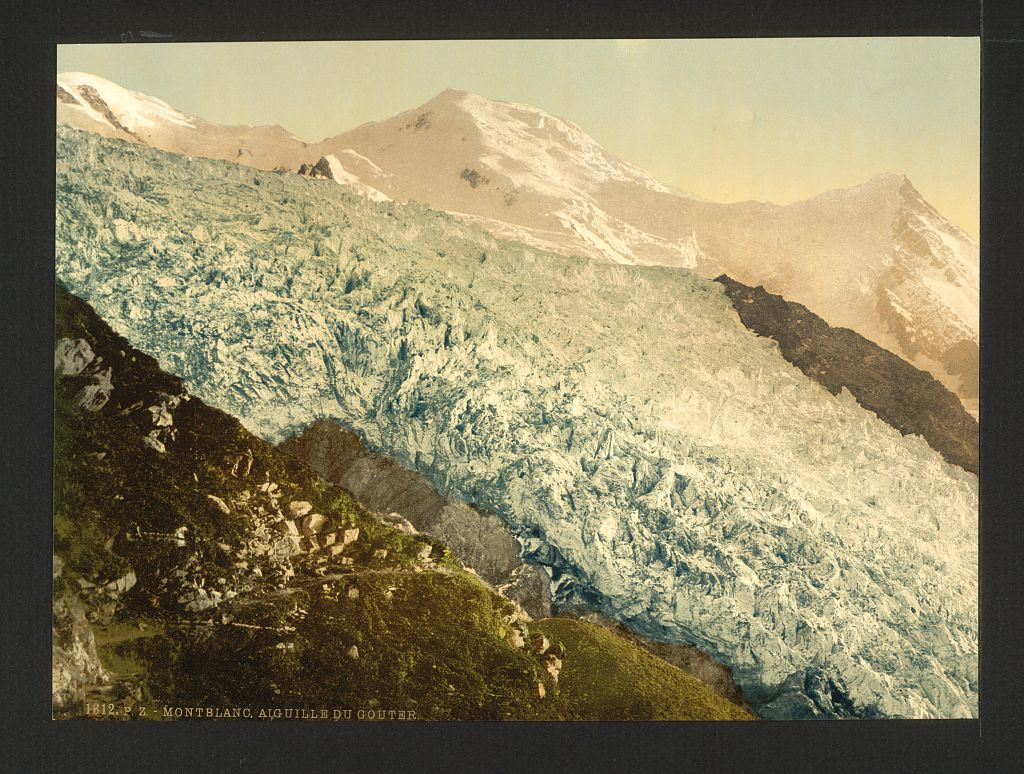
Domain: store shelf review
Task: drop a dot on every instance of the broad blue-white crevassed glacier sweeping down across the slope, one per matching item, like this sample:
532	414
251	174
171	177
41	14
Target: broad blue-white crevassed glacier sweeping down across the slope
674	471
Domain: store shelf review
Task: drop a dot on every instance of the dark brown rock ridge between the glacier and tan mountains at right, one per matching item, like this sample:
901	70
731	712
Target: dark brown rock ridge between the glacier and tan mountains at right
908	399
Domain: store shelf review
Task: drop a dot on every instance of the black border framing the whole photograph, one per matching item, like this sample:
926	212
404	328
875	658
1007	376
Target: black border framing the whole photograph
31	742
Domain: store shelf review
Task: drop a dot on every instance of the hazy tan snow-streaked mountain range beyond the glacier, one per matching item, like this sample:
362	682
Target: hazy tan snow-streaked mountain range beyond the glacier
876	259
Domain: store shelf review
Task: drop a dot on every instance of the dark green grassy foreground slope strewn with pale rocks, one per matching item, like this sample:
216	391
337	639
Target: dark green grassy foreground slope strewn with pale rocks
199	567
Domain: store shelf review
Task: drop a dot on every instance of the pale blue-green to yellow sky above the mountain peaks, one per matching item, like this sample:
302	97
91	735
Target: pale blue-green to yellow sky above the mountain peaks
730	120
